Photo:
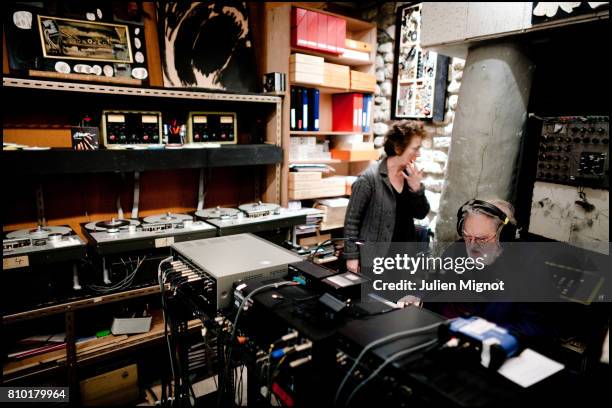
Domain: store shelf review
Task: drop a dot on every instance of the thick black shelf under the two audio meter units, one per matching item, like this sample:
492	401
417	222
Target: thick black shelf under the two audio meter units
68	161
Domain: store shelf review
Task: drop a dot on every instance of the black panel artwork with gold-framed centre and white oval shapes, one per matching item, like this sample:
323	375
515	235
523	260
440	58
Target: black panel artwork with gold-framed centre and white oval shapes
44	39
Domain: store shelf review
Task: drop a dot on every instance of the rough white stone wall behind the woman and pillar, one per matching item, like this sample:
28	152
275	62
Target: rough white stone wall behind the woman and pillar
434	153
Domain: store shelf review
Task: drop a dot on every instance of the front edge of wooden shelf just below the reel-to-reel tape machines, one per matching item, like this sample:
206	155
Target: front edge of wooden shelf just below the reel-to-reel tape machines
80	304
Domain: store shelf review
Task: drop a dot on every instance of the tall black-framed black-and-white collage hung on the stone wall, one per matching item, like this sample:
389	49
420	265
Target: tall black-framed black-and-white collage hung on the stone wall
419	76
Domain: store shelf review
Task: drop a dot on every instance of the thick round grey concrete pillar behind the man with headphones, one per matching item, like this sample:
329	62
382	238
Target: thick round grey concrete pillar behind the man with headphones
489	121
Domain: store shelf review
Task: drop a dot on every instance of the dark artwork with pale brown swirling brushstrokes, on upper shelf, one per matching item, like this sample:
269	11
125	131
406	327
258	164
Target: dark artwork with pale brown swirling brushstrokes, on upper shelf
206	45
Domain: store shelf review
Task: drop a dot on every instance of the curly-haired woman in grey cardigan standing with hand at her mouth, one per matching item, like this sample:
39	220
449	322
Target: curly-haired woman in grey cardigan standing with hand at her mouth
388	195
